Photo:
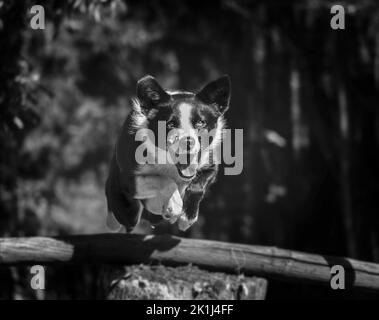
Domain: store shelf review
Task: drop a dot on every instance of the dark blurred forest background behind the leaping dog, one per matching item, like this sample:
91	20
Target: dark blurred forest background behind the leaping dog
305	95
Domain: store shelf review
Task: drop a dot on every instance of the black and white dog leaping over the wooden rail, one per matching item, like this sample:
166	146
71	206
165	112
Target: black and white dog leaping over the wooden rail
186	113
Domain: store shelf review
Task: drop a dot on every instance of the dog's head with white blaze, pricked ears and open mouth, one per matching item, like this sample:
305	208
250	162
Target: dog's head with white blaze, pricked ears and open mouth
187	117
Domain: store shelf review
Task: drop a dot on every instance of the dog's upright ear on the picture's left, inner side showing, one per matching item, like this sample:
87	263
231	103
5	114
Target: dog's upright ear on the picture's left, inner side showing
150	93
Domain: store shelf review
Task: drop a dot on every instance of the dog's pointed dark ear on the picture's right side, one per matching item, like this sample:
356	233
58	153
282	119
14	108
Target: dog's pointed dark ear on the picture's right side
216	93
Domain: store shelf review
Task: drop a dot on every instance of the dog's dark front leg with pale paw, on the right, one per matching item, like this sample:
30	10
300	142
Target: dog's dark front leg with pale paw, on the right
193	196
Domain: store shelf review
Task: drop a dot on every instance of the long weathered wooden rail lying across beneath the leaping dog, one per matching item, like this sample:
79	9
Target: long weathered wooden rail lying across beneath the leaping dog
262	261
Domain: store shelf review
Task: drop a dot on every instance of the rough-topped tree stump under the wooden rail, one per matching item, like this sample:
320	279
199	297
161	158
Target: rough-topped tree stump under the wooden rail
143	282
